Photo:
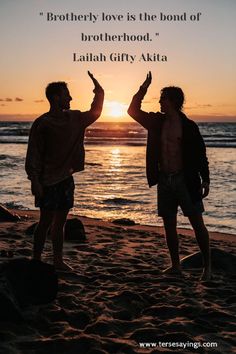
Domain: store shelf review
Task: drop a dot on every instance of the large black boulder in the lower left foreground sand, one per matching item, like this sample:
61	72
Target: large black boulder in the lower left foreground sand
24	282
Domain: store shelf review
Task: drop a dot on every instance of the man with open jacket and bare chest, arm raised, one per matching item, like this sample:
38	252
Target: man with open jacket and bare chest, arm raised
177	162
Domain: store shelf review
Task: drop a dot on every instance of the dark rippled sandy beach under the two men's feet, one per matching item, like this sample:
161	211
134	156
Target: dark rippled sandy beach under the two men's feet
118	301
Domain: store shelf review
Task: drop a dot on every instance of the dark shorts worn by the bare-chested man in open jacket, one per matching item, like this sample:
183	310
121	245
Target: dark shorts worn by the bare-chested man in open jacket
172	193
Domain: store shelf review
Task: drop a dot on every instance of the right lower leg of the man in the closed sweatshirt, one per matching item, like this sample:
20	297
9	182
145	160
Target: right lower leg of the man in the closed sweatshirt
57	235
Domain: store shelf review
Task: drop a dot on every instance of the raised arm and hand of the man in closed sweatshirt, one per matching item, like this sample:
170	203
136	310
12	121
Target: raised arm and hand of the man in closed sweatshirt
94	113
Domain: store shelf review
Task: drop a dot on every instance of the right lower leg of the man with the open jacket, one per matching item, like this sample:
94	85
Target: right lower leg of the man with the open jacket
202	237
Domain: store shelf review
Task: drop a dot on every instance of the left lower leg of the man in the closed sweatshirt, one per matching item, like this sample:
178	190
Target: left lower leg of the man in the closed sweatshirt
40	233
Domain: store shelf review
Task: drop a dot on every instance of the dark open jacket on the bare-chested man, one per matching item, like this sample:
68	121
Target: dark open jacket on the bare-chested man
195	162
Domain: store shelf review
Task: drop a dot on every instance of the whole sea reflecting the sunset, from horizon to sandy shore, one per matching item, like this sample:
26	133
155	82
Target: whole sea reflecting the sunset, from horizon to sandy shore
114	184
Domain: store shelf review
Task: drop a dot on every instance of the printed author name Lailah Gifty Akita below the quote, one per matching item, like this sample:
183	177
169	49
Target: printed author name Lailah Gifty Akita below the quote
119	57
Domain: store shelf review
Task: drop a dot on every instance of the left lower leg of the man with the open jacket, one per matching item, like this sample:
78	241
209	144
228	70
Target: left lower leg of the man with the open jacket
172	243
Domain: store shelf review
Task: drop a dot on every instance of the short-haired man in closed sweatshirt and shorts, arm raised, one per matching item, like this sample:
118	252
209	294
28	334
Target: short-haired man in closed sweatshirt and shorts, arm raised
55	152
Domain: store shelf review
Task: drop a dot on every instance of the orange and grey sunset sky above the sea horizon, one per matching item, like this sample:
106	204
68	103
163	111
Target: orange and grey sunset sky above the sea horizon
200	55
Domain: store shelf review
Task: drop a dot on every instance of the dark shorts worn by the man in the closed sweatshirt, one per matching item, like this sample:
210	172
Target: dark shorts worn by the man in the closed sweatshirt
59	196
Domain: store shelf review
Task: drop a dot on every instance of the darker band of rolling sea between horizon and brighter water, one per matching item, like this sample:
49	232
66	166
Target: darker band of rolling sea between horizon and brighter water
126	133
